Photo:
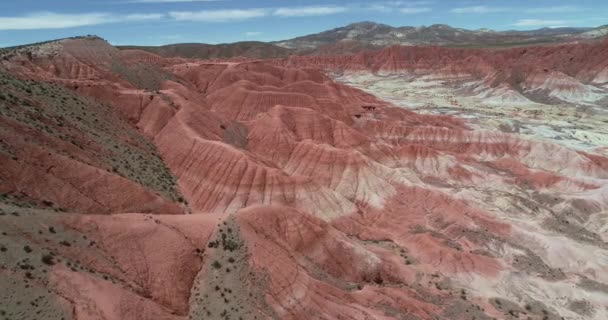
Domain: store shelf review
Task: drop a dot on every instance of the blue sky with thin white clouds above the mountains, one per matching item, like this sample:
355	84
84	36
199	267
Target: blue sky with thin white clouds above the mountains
157	22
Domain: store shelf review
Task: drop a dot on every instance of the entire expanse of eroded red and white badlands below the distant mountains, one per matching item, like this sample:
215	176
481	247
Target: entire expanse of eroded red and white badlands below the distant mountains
394	183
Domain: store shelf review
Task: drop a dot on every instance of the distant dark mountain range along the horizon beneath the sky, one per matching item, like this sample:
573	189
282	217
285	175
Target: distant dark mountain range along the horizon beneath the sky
362	36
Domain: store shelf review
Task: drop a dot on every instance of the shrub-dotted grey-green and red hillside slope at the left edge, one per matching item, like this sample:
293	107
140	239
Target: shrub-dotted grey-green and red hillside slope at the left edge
67	152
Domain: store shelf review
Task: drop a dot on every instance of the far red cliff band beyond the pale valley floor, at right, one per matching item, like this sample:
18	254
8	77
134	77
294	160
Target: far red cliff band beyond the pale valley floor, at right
568	72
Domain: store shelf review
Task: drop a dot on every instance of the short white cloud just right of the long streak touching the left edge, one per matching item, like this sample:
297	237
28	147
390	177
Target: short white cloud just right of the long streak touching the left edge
218	15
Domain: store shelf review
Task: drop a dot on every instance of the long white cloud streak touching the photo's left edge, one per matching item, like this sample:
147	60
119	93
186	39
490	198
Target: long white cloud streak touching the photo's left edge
50	20
